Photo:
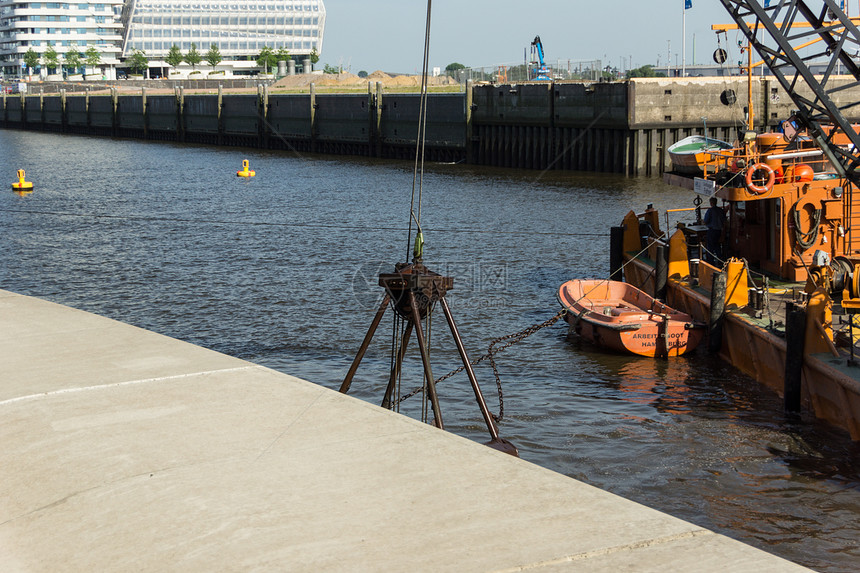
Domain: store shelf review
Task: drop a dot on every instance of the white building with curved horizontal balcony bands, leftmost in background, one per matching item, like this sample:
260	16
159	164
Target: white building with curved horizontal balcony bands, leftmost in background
64	26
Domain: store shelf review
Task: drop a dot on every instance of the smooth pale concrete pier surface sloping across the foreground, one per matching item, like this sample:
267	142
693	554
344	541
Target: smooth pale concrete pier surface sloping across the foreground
127	450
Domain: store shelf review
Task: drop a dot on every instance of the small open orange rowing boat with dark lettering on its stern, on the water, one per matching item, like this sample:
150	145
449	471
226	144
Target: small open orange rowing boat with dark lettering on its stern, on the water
620	317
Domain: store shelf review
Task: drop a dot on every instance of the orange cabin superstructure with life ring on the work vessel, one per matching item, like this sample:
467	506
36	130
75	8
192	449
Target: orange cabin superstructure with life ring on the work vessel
784	202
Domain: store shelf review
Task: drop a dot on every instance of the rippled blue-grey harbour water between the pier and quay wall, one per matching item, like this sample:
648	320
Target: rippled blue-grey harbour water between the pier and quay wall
281	270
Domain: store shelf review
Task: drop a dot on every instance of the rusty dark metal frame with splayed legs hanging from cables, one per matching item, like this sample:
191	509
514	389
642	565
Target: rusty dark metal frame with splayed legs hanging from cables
412	291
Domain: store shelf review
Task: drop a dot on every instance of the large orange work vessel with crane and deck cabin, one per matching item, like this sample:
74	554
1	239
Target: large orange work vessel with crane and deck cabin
777	278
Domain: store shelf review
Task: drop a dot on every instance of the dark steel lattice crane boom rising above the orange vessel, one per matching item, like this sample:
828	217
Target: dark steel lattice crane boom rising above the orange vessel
778	29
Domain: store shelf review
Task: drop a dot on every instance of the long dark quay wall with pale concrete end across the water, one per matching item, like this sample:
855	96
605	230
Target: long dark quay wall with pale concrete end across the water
618	127
